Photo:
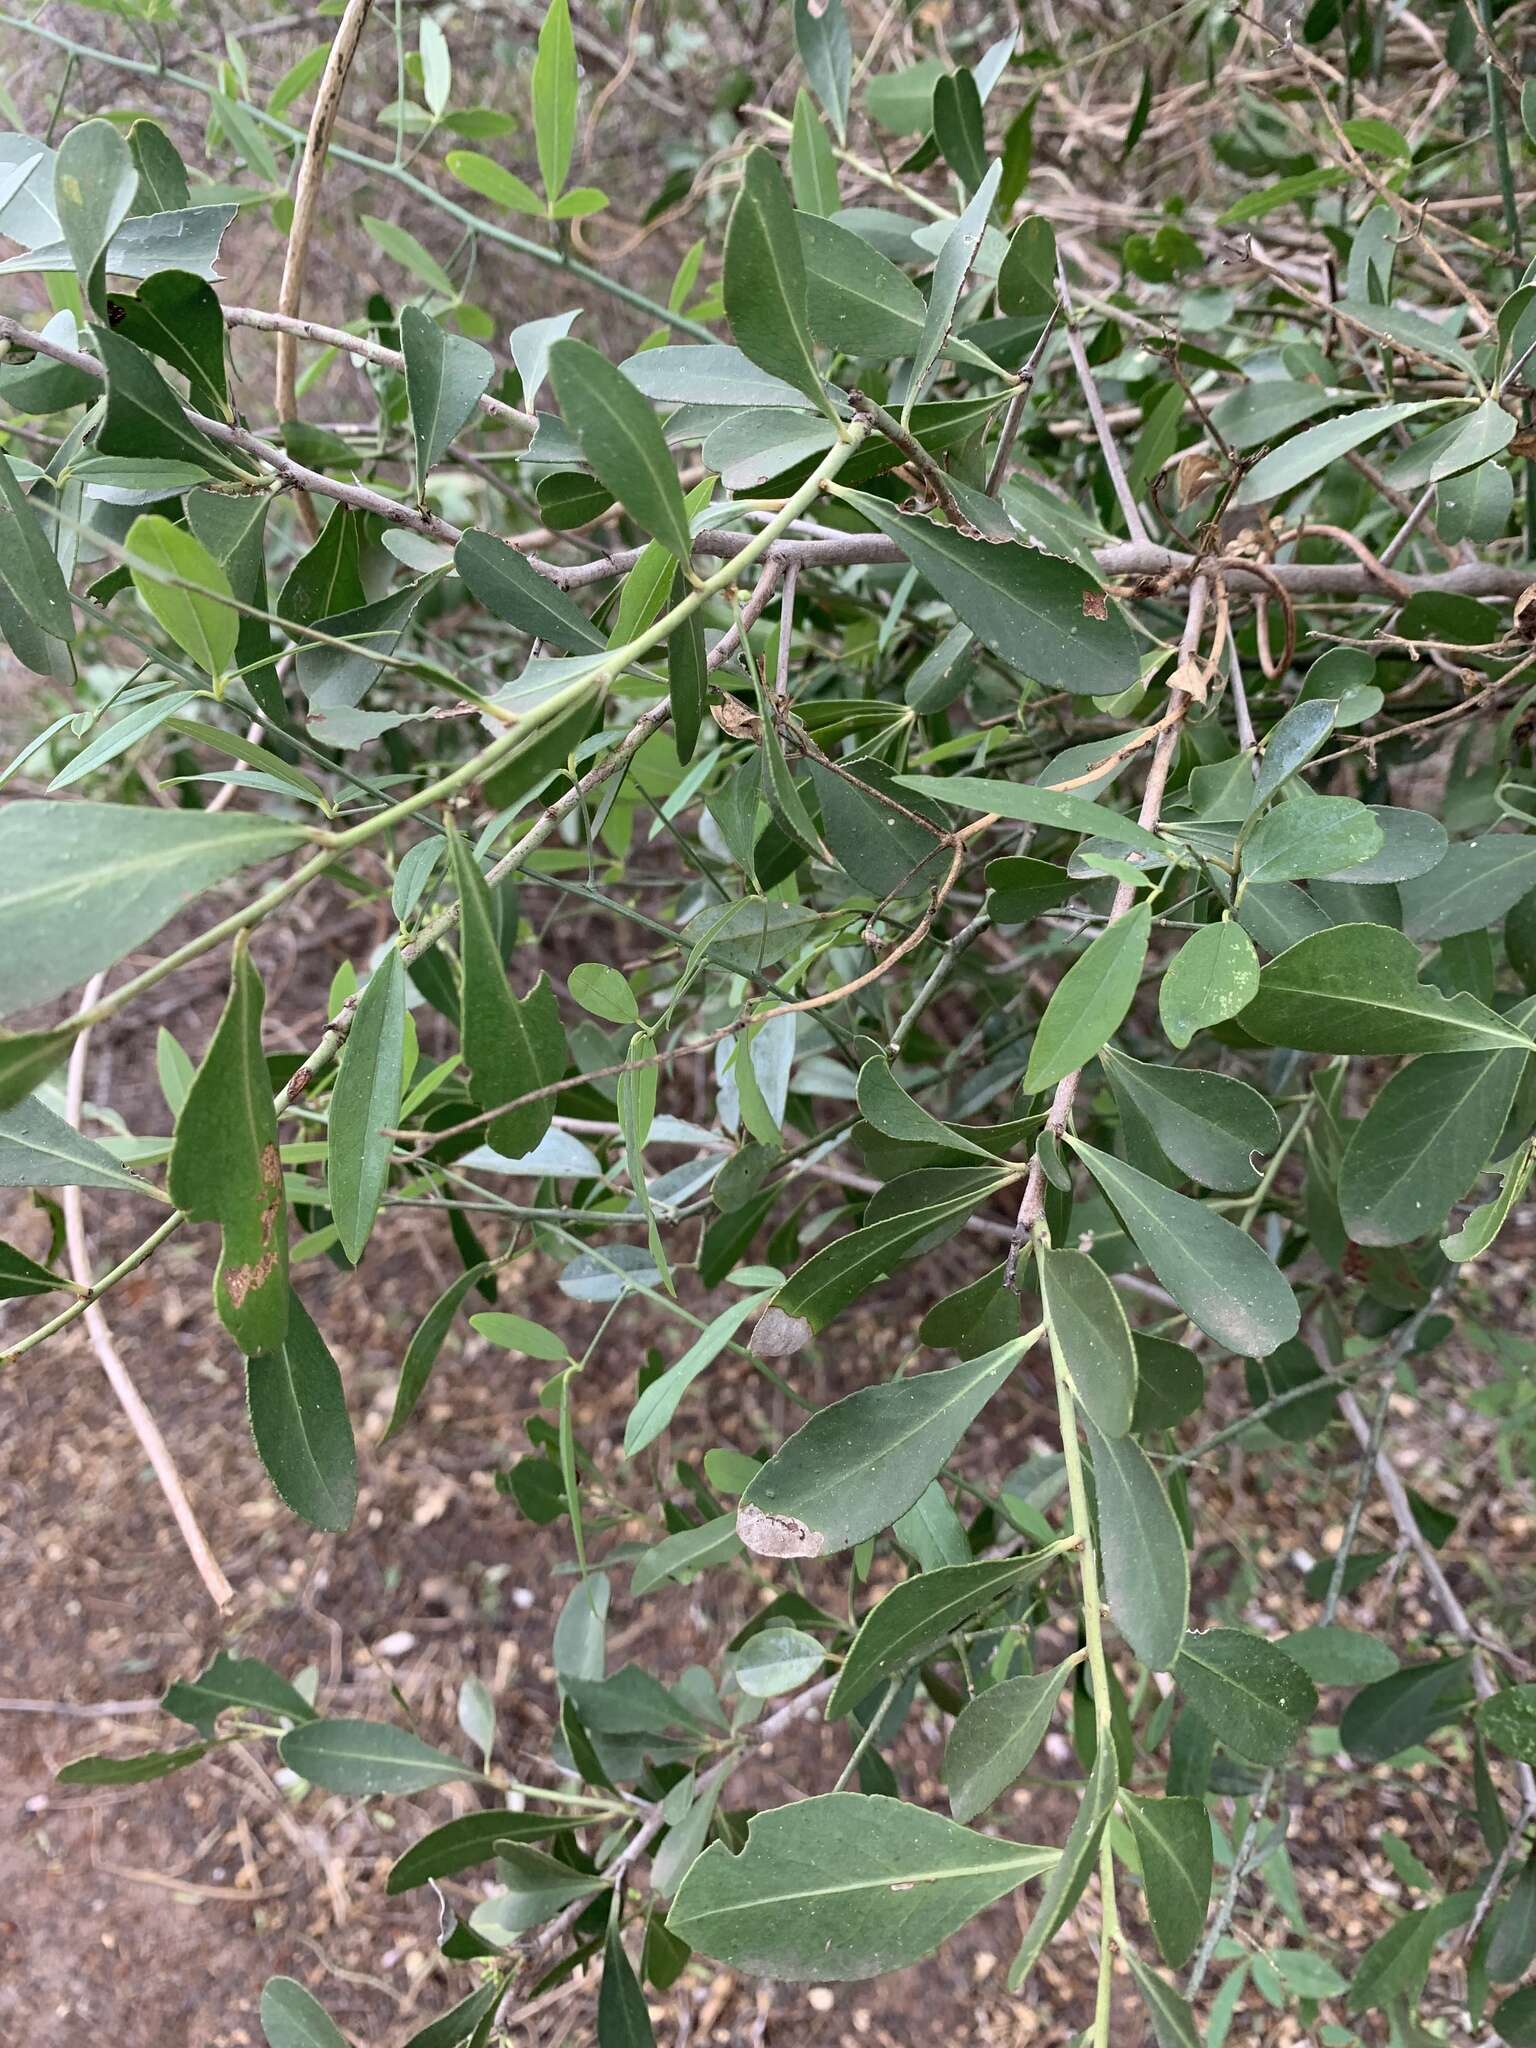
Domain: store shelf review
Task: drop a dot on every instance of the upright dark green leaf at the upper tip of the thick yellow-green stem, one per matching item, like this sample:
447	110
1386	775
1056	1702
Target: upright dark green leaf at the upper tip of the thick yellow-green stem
765	280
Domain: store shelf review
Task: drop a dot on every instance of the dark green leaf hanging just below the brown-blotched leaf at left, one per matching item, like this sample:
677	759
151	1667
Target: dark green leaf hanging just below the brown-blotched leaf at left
298	1418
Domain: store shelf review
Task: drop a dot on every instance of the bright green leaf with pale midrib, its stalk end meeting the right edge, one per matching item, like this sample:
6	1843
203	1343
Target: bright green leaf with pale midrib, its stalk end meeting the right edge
1355	988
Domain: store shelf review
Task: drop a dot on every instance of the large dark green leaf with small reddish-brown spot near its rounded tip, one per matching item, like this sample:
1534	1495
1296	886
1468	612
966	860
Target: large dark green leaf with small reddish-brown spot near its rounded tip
1023	605
